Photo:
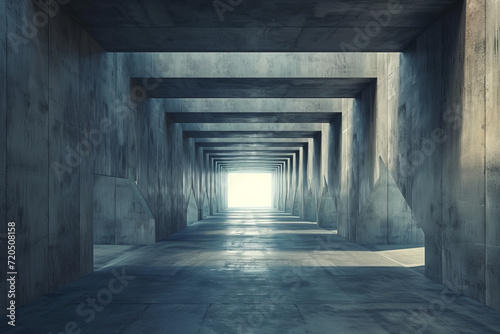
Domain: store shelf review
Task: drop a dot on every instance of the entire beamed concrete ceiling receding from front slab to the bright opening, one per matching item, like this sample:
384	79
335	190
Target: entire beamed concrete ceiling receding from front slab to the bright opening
245	111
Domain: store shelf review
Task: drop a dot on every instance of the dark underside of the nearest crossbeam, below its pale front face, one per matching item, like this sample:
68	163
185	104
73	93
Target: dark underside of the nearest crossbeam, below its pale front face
256	87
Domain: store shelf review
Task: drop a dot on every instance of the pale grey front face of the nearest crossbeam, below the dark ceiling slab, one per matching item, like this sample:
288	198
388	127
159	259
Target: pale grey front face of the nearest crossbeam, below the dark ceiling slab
266	65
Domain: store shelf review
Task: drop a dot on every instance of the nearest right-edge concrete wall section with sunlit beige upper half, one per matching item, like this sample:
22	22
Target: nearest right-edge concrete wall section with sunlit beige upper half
470	239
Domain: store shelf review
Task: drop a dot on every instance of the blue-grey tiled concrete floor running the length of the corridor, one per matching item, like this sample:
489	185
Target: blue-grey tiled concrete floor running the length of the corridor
255	272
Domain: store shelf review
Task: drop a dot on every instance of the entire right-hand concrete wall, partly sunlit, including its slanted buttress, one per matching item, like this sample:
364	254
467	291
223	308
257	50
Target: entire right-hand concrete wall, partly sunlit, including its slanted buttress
435	126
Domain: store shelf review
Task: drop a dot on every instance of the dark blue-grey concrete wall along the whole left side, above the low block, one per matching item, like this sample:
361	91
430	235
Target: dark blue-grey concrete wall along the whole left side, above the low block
69	112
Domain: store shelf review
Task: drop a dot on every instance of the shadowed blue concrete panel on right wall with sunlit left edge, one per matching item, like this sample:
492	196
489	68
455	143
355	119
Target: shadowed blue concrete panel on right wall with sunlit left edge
414	88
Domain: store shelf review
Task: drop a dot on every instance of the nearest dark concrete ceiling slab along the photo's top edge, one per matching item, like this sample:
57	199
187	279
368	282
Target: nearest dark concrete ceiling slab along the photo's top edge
251	26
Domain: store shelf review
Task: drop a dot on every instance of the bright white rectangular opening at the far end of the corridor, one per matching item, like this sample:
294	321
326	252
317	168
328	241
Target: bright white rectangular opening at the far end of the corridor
249	190
